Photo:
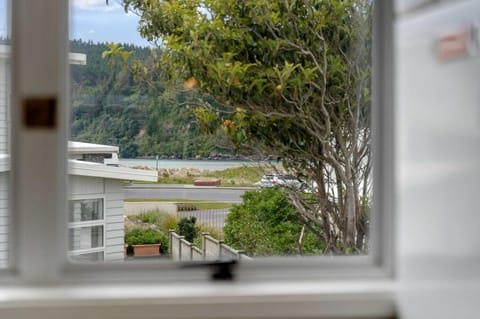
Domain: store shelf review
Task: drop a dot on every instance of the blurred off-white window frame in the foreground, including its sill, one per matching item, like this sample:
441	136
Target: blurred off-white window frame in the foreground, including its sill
277	287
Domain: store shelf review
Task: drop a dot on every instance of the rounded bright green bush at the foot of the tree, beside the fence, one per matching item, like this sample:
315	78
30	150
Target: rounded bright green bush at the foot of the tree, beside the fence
266	224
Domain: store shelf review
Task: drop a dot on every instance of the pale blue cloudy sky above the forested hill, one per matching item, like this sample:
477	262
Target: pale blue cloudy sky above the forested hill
94	20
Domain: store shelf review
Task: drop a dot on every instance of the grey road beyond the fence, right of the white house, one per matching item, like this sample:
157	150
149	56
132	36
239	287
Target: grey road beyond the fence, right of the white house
164	191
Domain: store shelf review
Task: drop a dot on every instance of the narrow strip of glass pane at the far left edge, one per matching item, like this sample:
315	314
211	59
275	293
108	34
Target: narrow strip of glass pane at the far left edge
5	80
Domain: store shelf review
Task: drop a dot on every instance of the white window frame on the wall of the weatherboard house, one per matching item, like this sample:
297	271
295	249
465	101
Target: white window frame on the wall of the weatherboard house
91	223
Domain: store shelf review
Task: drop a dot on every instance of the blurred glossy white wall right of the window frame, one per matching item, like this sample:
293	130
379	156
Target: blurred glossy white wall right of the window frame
438	162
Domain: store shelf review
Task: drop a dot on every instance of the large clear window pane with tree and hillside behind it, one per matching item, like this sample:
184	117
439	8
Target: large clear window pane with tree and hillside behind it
252	119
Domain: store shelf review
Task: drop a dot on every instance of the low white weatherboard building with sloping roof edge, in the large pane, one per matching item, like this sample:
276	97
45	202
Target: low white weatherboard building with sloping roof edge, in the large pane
96	211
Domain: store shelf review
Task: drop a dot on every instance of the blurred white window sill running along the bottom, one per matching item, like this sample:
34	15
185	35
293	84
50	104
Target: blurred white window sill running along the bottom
367	299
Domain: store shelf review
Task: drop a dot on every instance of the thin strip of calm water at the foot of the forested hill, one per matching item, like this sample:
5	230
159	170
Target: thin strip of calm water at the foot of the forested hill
197	164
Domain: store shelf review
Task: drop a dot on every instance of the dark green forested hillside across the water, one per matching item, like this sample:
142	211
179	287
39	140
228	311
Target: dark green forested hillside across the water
110	107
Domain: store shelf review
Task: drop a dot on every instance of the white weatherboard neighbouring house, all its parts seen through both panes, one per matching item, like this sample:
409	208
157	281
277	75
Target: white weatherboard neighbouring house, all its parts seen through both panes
95	216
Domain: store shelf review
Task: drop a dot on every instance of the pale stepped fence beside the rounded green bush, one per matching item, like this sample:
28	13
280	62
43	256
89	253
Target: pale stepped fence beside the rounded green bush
212	249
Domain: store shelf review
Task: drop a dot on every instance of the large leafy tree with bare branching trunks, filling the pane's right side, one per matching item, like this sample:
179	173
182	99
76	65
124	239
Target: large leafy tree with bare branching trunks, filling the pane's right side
288	77
